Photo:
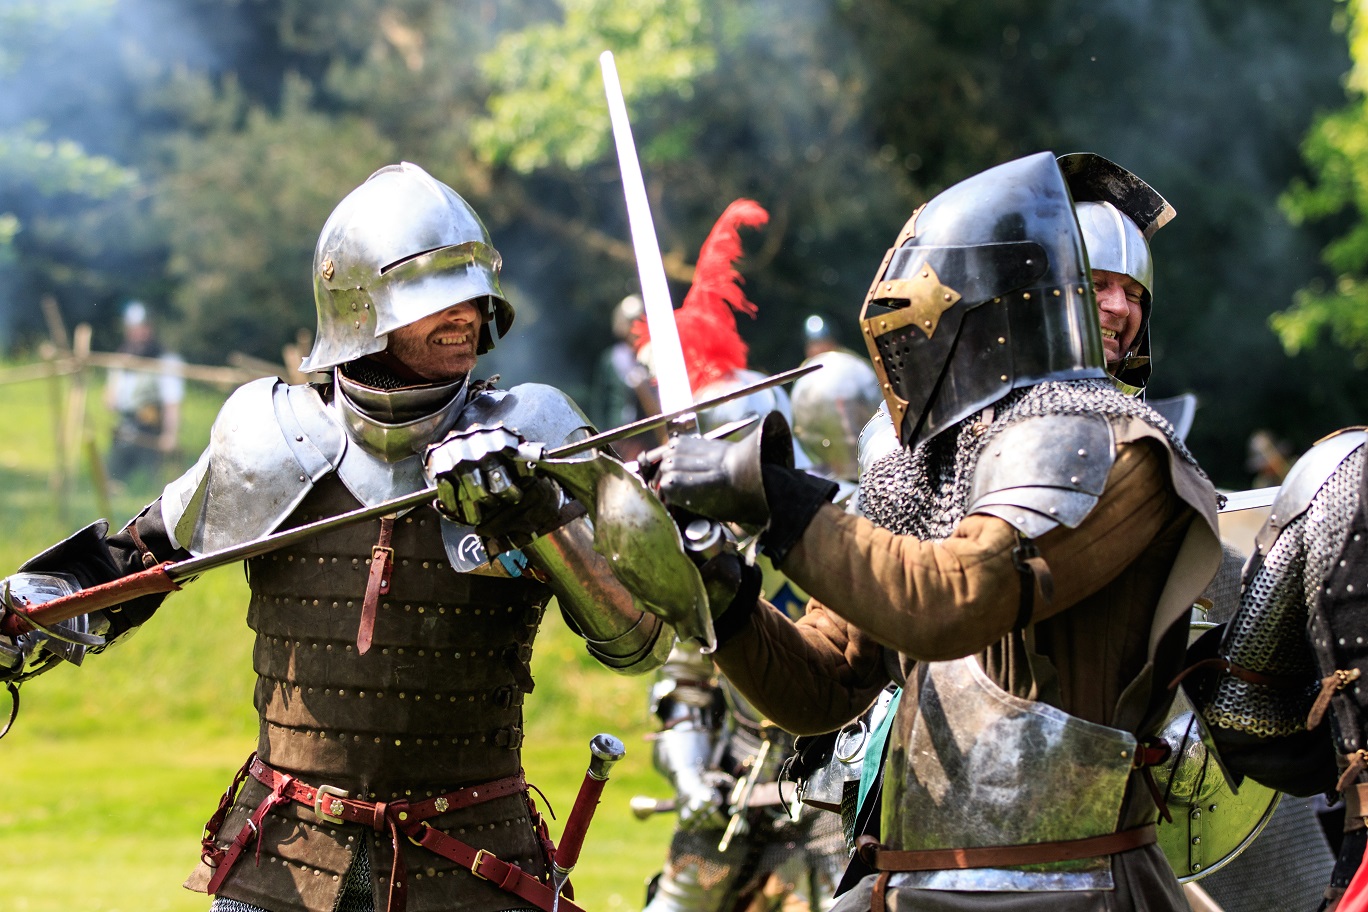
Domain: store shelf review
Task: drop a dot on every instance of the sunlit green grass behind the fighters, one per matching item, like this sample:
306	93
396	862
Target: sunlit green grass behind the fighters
113	769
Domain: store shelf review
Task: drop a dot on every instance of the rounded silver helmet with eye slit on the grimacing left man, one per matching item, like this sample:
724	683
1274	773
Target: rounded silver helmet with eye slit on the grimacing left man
400	248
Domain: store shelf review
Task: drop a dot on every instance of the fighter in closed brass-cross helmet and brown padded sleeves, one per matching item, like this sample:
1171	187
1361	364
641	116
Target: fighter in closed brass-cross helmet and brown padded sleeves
1028	557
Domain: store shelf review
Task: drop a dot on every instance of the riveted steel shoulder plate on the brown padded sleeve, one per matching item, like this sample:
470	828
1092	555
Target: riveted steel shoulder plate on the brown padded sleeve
1044	472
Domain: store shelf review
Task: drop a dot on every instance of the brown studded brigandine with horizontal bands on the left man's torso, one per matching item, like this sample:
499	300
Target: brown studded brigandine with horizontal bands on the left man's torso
436	705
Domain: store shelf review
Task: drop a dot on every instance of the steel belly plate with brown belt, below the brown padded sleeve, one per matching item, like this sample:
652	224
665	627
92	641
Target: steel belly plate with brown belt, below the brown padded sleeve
971	765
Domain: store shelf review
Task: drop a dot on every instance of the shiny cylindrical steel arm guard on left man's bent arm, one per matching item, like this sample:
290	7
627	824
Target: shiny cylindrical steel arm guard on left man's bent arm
620	634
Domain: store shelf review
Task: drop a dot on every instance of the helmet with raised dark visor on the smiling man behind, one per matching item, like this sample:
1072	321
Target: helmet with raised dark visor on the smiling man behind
1118	214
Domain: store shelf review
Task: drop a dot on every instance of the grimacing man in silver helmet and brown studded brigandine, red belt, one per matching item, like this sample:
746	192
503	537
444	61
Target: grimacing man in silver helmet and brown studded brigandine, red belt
393	656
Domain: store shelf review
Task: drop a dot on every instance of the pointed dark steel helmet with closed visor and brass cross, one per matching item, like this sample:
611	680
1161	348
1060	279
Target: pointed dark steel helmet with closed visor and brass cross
986	291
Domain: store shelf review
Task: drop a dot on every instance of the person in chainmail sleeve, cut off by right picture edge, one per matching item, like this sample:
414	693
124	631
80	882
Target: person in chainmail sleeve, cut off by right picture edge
1287	699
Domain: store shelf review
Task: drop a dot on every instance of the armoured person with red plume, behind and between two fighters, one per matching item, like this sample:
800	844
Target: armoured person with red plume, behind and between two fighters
737	837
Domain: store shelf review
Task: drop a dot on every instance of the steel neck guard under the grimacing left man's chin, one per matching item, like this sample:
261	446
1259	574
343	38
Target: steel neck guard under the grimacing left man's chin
396	425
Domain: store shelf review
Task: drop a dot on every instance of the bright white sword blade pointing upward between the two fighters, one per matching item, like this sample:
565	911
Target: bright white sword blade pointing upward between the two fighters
667	355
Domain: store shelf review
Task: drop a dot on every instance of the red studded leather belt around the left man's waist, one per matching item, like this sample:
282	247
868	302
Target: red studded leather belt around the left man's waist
408	818
